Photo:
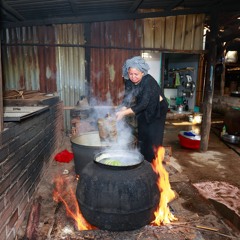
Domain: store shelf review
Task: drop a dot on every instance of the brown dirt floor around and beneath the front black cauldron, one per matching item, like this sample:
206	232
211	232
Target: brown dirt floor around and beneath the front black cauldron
206	186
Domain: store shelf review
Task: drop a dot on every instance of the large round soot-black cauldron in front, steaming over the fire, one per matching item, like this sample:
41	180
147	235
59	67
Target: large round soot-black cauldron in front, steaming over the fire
118	198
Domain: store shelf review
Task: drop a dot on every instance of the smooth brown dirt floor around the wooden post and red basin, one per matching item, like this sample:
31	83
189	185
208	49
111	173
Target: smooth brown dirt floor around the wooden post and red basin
220	163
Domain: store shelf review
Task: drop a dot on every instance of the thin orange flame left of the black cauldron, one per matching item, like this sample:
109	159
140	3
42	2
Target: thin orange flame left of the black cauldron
64	193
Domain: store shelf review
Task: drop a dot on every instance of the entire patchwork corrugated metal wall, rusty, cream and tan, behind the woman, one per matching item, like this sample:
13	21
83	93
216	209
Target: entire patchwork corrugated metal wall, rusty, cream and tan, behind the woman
53	58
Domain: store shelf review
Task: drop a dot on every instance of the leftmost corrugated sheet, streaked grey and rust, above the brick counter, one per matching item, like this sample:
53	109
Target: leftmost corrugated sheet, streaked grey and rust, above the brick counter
20	63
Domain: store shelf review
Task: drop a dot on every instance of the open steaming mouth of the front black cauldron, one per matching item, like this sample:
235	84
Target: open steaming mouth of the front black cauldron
119	158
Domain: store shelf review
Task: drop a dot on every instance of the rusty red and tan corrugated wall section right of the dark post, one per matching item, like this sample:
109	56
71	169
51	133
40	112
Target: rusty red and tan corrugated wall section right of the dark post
114	42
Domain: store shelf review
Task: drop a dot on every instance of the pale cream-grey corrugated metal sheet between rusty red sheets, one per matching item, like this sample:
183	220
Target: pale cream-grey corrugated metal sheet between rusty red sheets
70	61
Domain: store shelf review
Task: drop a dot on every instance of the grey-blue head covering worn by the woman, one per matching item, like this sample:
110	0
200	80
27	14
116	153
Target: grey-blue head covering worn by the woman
135	62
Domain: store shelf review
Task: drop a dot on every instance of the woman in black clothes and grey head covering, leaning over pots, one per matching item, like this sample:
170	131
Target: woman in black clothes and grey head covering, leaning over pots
144	98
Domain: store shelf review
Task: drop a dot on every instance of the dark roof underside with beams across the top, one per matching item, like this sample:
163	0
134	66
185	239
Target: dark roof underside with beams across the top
46	12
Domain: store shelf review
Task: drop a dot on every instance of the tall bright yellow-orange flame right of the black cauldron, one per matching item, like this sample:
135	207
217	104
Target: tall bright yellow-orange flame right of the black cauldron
163	214
